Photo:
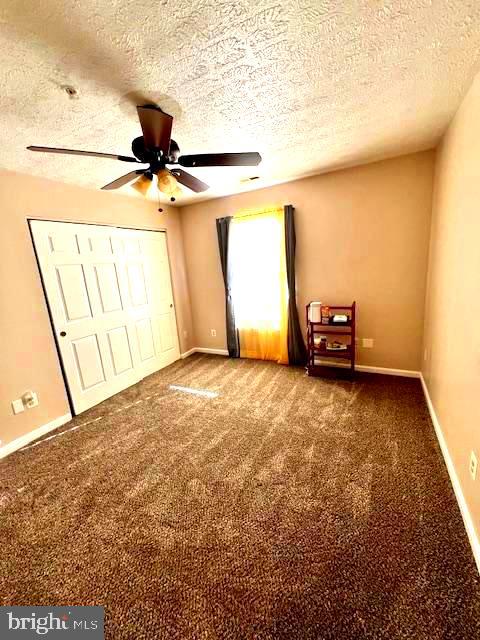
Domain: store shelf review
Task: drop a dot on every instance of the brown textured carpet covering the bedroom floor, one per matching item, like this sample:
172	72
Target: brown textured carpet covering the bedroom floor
286	507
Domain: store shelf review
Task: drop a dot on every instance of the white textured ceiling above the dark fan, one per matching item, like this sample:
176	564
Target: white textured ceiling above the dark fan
311	84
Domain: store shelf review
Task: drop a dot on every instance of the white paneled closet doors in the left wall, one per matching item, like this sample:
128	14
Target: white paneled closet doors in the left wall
110	297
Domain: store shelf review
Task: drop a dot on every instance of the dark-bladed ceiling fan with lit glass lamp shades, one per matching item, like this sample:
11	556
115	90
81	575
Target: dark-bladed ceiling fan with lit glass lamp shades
157	149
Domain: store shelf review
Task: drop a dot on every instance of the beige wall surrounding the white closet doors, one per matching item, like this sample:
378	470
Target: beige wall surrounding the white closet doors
28	358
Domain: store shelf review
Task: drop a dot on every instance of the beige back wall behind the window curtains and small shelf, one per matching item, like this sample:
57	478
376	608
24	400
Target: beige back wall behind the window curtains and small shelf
362	234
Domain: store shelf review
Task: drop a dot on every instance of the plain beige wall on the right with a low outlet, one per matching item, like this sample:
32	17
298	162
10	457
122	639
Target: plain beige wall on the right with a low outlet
452	329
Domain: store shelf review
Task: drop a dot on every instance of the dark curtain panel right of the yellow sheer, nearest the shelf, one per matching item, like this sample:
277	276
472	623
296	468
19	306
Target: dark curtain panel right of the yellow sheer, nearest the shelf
297	353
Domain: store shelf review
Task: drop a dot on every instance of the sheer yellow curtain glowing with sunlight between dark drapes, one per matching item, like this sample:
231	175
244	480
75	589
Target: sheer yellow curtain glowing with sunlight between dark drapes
259	283
